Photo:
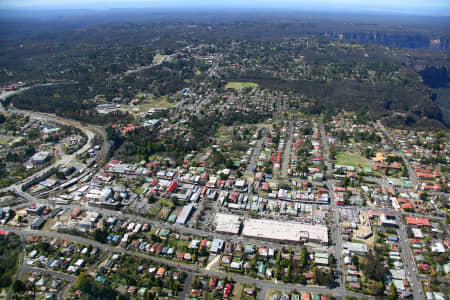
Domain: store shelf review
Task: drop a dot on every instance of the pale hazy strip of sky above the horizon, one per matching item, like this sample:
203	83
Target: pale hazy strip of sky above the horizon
415	7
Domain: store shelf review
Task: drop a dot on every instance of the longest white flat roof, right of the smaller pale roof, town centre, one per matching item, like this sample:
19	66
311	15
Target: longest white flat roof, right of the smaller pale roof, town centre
287	231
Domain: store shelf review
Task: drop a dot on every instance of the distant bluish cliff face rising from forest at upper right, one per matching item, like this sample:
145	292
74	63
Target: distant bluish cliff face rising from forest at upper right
394	39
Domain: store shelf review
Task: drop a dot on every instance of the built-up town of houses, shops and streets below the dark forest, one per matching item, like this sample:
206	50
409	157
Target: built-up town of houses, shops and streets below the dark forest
290	207
